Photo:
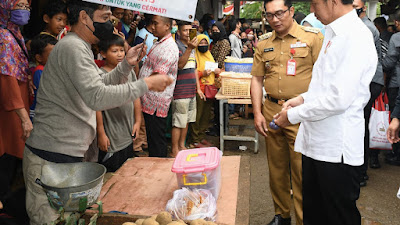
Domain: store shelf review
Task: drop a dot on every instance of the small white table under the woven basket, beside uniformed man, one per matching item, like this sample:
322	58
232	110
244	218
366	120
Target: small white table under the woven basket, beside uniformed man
223	99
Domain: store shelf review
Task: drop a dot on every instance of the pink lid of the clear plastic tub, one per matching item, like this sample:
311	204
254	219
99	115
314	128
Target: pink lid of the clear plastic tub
196	160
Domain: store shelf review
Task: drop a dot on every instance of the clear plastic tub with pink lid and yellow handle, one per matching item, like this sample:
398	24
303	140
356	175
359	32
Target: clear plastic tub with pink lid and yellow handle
199	169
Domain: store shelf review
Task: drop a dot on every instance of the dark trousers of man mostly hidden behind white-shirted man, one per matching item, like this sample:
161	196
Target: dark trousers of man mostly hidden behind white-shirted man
375	89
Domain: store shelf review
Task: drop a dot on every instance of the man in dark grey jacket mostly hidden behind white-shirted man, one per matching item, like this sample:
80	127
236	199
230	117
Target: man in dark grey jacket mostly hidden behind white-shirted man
375	89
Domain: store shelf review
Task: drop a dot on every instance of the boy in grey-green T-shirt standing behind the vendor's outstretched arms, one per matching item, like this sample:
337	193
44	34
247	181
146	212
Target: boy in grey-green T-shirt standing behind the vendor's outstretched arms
117	128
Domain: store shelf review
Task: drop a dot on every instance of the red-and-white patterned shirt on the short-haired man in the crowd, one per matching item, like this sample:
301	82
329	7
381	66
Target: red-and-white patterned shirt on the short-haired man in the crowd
162	58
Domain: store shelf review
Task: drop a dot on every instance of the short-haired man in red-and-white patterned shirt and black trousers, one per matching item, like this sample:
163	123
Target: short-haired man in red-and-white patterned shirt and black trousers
162	58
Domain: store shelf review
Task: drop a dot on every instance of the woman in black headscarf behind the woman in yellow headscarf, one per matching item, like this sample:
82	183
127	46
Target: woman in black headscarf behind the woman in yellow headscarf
221	47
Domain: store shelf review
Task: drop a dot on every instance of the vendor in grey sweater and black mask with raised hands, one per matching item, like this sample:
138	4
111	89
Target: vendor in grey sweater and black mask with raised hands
71	91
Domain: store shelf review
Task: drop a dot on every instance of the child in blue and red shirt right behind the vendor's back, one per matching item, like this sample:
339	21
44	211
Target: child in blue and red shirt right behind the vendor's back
41	47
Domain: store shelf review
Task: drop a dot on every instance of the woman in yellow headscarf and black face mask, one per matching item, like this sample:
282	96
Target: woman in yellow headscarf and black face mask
206	77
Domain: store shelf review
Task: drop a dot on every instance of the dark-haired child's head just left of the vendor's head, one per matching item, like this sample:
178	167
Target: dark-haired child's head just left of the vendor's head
55	18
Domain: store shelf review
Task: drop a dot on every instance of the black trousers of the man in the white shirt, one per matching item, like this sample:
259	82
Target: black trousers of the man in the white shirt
330	192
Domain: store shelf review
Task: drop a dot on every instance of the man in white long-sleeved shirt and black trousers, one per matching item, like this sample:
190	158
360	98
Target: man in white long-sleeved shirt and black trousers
331	132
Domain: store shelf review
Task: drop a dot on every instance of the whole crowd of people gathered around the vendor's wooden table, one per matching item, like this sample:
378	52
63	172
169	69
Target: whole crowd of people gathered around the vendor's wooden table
101	84
